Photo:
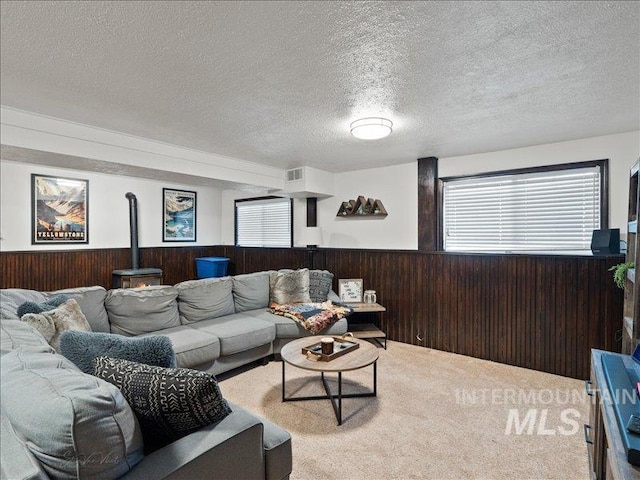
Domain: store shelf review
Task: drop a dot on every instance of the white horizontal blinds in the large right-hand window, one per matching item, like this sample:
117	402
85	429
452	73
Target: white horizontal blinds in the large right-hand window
541	211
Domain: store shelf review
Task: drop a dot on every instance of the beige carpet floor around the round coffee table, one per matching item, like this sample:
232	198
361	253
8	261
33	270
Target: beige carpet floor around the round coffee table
437	415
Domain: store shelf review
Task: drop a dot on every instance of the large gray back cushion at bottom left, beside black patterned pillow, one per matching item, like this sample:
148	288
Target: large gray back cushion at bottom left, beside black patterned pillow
76	425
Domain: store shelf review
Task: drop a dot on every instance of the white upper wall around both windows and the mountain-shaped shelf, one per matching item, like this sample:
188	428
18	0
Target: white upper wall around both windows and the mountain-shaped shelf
396	187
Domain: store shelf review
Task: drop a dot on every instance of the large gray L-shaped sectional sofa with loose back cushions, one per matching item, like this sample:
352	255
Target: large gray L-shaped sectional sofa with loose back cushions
214	324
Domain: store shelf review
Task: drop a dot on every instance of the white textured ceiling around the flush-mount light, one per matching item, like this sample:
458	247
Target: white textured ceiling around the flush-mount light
279	82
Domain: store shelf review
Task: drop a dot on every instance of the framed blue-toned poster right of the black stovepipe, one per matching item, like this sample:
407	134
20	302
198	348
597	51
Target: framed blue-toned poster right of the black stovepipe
179	216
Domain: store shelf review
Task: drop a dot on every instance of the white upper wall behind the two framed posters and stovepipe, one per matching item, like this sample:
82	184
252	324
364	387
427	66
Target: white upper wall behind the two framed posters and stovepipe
108	209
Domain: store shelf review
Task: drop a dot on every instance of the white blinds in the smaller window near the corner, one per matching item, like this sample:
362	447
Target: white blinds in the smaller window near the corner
264	222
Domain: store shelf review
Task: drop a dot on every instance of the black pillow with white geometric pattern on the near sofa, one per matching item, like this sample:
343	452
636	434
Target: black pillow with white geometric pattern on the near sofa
168	402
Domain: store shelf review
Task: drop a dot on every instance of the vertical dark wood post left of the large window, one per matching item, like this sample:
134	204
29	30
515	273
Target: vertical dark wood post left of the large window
428	204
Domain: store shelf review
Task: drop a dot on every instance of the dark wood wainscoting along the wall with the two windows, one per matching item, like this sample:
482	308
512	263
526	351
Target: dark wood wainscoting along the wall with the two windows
535	311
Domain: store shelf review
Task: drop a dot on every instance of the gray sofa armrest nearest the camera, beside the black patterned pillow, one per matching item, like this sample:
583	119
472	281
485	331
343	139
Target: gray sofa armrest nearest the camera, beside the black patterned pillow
229	449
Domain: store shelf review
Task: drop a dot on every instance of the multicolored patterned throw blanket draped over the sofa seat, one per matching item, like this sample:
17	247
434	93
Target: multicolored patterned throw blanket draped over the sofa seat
311	316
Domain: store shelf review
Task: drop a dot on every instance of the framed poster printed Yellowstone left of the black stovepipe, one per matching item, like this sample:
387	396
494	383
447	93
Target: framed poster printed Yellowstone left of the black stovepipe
59	210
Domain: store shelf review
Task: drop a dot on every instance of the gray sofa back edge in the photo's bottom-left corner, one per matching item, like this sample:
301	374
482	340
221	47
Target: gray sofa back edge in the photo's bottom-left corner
16	461
